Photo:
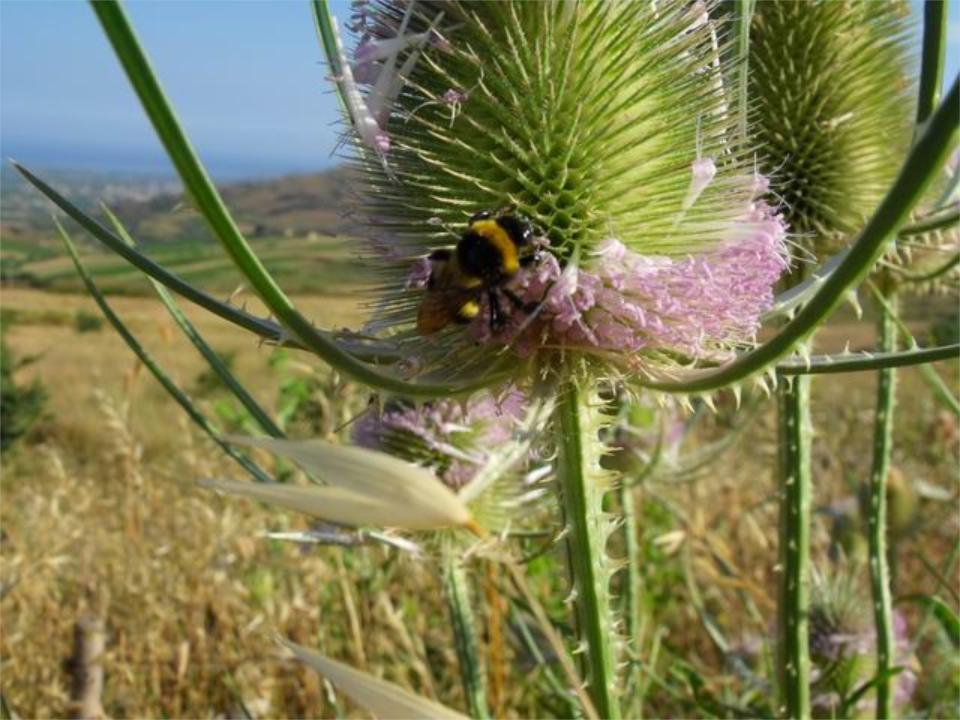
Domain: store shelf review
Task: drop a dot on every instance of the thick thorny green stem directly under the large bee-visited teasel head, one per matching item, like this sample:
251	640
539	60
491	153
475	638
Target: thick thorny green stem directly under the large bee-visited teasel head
582	487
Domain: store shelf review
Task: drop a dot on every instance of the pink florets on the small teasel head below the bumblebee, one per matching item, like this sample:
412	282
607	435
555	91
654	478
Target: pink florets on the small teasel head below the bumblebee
455	438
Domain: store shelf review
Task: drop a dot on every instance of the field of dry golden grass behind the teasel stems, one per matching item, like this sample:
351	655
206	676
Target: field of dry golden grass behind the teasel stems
101	515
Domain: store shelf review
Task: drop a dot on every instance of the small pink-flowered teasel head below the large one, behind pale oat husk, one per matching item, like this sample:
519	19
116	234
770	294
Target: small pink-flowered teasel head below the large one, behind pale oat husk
476	448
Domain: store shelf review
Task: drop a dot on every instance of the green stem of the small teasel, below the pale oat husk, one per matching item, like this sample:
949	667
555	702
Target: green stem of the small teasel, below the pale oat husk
456	588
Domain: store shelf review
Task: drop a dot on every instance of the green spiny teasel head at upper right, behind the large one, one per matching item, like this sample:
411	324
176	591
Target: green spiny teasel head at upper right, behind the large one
830	103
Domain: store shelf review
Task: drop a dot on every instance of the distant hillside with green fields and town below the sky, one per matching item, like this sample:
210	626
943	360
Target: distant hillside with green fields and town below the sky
295	222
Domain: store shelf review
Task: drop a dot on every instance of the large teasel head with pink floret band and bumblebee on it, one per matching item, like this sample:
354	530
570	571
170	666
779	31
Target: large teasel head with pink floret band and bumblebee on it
609	128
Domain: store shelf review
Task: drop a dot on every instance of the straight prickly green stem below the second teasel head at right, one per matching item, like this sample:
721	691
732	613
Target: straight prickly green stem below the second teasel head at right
795	497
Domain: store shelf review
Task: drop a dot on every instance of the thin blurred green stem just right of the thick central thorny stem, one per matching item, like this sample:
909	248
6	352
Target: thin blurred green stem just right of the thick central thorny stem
631	596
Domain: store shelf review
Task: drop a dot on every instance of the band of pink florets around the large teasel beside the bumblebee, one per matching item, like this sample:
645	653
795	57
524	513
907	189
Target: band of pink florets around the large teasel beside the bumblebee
621	301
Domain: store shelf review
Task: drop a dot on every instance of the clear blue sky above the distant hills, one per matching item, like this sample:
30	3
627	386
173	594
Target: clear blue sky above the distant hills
245	77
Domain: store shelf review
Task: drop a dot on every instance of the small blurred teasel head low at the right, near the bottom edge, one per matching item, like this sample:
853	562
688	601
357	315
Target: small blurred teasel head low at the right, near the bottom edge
842	641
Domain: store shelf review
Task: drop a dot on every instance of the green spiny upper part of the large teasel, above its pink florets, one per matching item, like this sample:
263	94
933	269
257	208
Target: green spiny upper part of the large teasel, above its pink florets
585	116
